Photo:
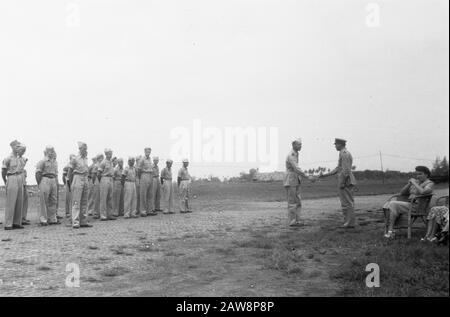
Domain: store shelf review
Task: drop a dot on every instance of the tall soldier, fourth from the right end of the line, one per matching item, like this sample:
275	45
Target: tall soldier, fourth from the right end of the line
145	174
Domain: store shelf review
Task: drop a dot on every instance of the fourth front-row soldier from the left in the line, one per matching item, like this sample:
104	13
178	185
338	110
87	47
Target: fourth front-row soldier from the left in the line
105	175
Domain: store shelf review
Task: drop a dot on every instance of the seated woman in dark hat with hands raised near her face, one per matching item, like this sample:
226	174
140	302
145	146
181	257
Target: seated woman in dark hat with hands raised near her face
421	185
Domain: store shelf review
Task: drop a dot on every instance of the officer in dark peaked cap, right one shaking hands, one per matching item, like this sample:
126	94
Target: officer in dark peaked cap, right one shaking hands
346	182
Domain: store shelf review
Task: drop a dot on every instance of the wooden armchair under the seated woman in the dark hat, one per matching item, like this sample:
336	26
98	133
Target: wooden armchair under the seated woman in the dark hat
419	209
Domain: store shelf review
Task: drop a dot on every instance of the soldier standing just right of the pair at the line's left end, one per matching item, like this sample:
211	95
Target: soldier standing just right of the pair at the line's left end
47	180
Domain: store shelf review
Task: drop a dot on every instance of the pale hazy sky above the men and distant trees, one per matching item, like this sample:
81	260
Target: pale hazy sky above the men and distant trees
125	73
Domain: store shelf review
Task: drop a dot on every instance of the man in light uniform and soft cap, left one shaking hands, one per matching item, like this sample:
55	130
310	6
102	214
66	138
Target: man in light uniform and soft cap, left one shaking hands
292	182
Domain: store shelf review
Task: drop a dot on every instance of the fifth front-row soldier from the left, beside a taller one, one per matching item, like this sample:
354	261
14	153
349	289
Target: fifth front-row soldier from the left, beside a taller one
129	184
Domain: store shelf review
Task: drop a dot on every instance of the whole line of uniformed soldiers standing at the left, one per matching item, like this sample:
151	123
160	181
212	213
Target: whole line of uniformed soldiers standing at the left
105	189
